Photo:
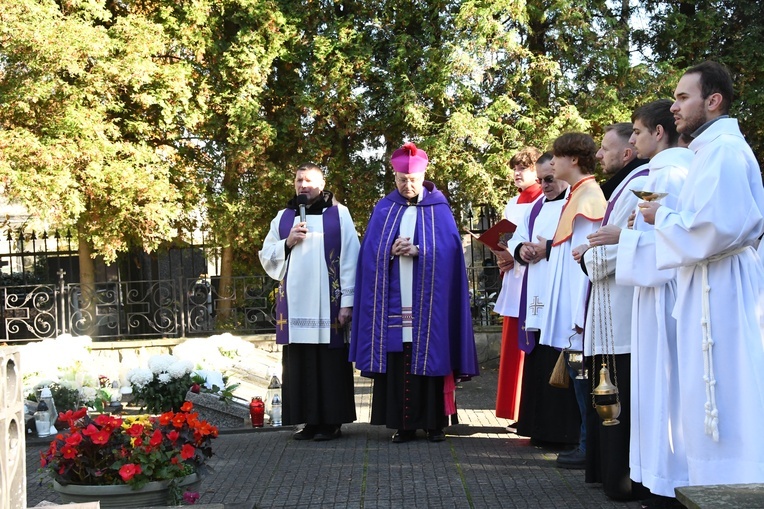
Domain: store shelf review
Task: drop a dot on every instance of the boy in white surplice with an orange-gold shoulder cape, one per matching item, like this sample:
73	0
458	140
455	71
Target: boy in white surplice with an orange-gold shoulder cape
566	288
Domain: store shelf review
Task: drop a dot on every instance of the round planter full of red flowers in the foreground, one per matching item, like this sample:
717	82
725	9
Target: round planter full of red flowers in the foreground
131	462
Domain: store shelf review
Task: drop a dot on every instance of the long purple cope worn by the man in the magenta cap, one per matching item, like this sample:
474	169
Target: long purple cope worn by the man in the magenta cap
443	341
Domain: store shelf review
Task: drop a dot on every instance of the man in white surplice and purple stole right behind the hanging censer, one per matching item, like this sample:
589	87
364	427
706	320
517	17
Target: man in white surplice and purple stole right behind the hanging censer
607	460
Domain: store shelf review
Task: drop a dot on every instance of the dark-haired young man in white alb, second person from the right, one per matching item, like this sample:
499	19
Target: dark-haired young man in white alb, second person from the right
657	456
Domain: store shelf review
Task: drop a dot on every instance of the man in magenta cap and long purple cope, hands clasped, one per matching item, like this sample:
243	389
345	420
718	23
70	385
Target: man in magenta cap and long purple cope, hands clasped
412	328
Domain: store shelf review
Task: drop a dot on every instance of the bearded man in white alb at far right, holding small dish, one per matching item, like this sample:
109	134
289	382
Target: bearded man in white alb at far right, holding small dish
709	236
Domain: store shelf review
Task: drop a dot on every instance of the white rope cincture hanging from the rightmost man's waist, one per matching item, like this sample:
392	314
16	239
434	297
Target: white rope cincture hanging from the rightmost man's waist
712	411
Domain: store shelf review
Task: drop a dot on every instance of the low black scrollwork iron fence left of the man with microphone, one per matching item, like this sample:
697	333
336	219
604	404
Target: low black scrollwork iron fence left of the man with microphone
138	309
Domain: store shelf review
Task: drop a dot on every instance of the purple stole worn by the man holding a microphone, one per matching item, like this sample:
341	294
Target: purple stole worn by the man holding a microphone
332	248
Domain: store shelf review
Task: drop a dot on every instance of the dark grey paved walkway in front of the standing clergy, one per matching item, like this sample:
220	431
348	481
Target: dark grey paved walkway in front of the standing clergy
481	465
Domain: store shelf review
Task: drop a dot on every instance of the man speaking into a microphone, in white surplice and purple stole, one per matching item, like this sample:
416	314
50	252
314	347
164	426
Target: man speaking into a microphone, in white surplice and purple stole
312	249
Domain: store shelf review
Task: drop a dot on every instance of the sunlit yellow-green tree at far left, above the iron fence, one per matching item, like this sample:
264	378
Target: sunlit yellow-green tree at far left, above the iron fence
88	116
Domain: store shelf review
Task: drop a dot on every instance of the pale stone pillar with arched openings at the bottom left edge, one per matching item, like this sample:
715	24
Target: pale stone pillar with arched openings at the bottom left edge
13	483
